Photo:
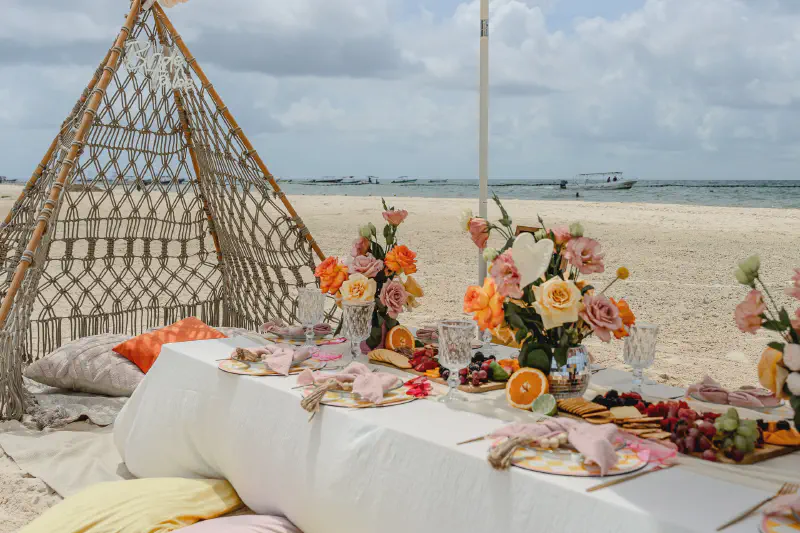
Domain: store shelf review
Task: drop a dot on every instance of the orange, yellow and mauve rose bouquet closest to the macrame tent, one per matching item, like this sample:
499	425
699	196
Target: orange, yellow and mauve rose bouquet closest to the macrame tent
375	271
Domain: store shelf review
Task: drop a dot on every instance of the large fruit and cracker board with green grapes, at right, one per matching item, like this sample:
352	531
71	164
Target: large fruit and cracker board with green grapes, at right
725	438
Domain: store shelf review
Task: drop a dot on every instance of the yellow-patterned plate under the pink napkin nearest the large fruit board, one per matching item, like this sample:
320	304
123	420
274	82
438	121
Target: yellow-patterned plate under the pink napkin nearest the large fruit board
566	463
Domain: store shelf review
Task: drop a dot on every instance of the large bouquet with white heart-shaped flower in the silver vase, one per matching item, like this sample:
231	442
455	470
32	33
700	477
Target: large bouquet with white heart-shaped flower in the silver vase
533	296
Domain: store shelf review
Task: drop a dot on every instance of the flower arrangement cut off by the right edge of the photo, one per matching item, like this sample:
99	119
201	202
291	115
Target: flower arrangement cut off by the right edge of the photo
779	367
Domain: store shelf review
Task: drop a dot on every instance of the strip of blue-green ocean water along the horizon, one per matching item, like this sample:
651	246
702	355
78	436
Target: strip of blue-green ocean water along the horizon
777	194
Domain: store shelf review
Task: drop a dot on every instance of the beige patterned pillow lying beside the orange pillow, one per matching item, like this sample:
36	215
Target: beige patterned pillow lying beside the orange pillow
88	365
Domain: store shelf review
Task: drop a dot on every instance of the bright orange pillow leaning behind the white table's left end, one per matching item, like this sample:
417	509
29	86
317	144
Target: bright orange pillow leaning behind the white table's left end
144	349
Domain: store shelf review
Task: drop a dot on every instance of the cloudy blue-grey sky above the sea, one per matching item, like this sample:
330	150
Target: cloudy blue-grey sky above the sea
662	89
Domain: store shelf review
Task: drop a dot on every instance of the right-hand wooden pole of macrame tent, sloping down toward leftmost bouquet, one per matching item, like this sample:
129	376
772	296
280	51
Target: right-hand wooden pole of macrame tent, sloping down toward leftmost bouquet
192	61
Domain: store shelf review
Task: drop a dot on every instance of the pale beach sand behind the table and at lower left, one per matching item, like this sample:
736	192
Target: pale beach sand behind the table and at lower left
681	260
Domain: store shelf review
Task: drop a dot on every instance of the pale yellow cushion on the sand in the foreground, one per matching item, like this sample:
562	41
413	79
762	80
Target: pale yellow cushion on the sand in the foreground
150	505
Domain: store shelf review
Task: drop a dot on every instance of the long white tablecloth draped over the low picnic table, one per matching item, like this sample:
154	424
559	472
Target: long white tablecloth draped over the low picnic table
395	469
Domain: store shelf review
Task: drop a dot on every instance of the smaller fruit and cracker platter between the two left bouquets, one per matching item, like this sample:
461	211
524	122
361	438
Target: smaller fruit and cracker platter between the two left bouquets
483	374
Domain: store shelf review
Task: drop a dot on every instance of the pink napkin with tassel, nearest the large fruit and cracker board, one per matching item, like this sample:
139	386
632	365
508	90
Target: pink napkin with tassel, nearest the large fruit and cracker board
594	442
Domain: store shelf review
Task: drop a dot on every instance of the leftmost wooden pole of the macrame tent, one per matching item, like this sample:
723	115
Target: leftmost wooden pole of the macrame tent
68	165
